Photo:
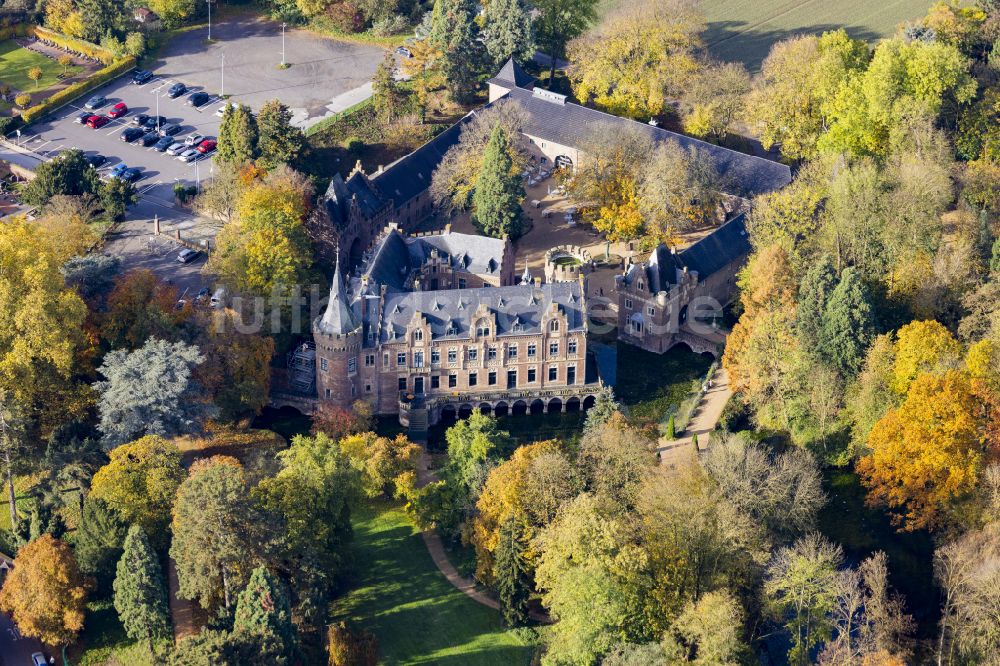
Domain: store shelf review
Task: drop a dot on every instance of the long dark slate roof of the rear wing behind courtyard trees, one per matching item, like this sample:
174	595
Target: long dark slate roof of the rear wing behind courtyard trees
569	124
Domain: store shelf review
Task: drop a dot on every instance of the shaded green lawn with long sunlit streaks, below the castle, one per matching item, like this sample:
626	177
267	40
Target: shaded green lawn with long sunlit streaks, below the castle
418	617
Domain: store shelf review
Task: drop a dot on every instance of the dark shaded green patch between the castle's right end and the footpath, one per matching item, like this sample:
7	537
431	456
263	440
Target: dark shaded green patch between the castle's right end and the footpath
650	384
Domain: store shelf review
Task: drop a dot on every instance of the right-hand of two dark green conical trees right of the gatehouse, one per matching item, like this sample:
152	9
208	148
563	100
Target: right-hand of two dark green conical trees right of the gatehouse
847	328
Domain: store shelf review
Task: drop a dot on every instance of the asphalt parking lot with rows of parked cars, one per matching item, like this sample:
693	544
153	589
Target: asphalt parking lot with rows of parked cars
160	171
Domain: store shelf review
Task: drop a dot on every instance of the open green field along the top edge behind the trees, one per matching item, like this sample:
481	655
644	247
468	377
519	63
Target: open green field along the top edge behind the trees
744	30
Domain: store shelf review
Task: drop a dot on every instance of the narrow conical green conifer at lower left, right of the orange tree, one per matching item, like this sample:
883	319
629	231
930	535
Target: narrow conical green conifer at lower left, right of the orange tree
140	590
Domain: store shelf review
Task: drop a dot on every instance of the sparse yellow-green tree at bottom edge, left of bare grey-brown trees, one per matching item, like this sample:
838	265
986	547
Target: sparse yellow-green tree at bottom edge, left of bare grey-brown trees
801	589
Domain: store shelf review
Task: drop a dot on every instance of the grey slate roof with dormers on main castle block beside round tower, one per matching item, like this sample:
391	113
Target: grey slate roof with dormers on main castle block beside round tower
518	309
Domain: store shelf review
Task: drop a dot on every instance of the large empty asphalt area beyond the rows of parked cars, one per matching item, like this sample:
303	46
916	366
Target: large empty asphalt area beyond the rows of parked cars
324	76
